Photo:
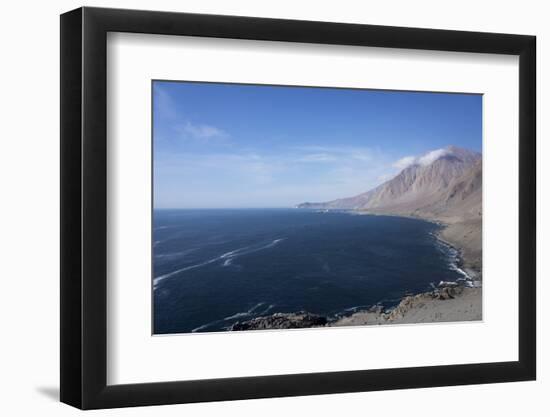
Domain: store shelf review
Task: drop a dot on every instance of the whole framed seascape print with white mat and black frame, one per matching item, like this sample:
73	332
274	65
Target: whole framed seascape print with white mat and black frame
257	208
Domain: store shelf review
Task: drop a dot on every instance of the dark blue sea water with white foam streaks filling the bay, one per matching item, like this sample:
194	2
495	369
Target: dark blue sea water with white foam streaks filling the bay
213	268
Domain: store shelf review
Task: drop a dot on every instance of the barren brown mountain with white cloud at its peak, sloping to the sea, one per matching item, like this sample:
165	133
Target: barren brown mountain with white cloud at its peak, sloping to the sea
443	185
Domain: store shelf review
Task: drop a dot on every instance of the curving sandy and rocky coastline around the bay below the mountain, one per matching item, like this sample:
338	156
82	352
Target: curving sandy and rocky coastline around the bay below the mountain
456	301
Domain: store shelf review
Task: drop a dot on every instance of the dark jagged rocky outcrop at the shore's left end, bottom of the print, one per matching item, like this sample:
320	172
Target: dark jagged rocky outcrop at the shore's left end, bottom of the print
298	320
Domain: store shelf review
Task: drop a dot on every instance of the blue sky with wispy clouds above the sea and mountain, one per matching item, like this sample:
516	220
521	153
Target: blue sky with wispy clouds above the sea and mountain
231	145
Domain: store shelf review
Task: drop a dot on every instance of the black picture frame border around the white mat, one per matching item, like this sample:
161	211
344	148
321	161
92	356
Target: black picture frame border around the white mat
84	207
